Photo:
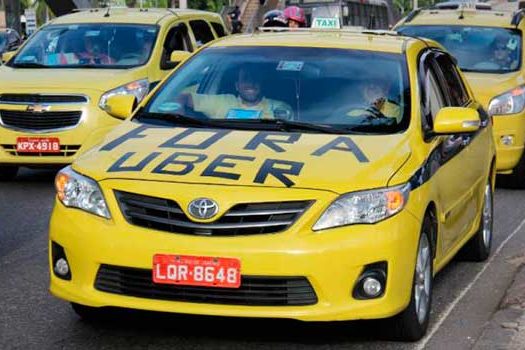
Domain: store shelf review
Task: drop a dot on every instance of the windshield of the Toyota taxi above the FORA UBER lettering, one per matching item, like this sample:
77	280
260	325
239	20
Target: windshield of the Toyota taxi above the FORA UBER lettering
329	89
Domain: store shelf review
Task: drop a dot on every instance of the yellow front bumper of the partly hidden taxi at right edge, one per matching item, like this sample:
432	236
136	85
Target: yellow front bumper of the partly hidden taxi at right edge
508	156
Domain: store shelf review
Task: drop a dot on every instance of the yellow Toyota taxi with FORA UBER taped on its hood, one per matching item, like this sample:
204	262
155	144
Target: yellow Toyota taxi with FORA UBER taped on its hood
272	176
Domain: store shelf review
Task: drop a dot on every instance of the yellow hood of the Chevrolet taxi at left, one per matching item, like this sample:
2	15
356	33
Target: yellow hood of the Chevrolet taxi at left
64	78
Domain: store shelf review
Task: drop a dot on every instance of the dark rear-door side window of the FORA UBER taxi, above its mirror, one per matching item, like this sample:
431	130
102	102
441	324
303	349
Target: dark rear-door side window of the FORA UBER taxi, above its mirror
454	86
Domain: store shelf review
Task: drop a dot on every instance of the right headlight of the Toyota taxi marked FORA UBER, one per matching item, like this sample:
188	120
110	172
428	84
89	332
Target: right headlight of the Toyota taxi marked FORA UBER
366	207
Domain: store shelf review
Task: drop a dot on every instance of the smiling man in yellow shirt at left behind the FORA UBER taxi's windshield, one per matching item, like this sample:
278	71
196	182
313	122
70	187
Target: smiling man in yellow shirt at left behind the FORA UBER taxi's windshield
249	103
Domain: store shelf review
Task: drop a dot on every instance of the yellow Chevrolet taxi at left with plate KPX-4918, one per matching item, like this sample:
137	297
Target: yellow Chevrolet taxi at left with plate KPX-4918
54	89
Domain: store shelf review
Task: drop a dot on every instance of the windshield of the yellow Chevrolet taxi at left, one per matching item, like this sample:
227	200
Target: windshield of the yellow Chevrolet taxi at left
92	45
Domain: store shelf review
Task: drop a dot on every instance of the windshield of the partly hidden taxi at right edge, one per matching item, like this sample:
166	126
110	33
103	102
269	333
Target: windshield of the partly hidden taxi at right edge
477	49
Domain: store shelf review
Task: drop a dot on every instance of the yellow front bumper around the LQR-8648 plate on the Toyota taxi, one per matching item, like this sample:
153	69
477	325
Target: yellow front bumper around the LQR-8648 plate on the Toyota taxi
331	260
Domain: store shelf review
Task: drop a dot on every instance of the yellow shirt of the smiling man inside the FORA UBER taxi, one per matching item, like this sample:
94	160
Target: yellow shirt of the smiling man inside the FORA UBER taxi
232	107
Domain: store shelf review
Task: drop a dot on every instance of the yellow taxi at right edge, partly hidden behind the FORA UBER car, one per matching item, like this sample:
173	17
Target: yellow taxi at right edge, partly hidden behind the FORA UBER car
488	46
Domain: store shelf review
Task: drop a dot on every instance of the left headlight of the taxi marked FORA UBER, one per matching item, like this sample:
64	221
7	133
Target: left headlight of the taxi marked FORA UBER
77	191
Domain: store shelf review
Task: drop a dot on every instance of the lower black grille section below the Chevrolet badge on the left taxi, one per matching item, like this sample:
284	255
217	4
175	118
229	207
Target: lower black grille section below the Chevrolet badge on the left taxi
39	121
